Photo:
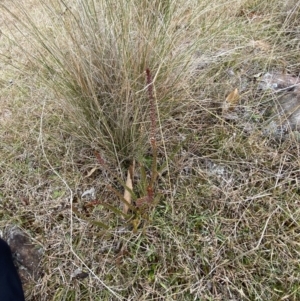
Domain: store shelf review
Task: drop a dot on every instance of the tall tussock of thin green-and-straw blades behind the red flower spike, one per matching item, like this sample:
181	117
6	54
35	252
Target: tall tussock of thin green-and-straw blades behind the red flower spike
94	55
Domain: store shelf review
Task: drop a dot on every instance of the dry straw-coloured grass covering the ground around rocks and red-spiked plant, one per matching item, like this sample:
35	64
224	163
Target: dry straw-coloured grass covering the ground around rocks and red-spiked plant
227	225
